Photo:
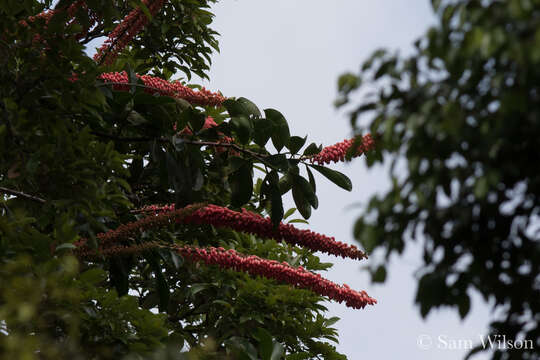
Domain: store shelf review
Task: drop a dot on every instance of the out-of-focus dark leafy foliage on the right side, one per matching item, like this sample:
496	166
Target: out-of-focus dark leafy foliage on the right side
458	122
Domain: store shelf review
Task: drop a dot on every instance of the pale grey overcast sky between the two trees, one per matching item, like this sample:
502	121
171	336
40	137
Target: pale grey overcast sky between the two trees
287	54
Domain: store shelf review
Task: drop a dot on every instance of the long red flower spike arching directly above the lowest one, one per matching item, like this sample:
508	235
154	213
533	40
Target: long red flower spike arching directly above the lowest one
252	223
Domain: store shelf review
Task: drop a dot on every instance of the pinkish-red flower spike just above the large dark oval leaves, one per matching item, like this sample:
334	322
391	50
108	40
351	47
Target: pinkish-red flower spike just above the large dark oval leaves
166	88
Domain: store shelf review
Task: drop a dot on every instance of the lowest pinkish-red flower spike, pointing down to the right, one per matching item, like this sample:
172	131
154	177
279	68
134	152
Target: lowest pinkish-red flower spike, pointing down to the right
283	272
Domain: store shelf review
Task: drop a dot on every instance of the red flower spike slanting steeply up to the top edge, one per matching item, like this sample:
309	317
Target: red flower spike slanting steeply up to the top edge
124	32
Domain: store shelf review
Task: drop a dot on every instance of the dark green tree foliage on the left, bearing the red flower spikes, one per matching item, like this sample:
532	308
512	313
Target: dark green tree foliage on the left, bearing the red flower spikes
76	157
